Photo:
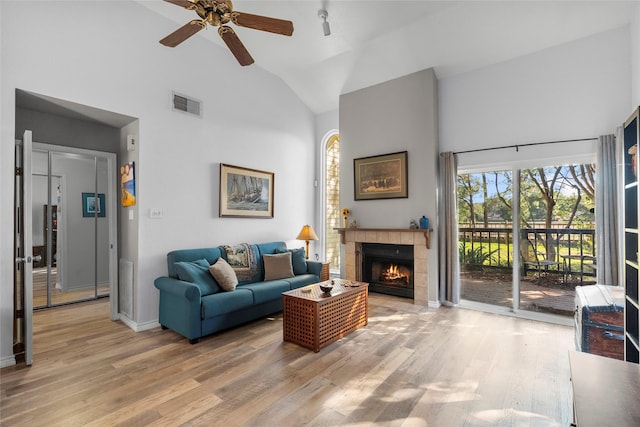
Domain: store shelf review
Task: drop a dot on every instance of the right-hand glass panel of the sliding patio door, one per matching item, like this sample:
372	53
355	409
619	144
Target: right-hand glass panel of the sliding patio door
557	236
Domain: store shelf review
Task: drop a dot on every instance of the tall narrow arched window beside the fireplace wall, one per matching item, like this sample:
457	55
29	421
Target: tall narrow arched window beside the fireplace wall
332	201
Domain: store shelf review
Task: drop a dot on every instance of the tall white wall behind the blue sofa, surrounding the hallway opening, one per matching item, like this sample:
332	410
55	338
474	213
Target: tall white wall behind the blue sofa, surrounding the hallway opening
250	118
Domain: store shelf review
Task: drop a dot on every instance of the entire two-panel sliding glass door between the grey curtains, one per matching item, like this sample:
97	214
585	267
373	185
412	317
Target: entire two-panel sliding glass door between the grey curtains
534	263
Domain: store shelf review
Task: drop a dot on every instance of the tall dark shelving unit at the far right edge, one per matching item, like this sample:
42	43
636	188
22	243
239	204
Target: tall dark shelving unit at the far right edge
631	264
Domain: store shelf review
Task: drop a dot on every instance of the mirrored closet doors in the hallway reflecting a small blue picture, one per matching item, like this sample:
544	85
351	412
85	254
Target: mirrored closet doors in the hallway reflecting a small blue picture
71	214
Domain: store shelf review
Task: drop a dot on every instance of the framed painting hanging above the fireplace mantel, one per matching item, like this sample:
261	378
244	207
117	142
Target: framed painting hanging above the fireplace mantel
381	177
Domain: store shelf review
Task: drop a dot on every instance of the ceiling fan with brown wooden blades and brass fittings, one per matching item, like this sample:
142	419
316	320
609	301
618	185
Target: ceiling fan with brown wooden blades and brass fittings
219	13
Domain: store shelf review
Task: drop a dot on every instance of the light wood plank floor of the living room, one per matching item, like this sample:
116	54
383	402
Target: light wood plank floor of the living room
407	367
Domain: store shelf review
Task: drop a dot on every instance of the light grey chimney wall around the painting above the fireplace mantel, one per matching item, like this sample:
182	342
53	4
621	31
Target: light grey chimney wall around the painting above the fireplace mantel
398	115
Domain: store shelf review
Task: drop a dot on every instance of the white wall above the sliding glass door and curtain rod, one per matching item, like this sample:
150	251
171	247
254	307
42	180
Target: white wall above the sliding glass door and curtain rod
577	90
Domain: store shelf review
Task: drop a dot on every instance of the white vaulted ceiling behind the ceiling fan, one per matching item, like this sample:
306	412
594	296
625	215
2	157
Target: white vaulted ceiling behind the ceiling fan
374	41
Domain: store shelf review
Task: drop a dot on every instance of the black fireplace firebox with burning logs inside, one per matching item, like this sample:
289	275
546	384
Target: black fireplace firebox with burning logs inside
388	268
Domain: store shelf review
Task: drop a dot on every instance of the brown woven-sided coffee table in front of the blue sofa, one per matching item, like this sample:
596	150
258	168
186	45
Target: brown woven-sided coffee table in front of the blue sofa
315	320
